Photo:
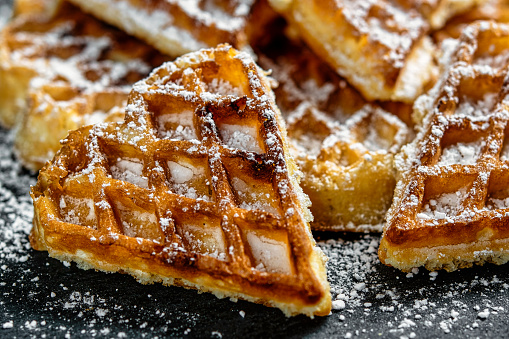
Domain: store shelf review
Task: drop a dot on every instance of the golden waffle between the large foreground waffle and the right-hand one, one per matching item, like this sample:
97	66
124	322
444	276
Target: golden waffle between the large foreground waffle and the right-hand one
343	145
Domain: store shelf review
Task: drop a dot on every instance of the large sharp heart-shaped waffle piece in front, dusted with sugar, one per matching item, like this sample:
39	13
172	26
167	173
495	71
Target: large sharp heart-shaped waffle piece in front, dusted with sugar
194	189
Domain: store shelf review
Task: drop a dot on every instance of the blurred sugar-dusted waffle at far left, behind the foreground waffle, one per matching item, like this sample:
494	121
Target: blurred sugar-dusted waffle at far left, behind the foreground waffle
61	69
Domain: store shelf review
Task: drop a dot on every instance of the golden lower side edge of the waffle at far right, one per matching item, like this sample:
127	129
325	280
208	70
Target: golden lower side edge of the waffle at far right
448	257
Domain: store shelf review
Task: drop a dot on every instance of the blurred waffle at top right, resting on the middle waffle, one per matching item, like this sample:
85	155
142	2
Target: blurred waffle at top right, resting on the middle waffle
380	48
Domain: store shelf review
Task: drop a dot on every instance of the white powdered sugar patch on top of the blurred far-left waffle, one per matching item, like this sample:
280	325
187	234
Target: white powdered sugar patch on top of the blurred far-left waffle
83	68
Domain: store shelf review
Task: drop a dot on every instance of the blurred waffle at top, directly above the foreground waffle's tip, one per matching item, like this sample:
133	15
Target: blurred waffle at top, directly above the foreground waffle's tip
177	27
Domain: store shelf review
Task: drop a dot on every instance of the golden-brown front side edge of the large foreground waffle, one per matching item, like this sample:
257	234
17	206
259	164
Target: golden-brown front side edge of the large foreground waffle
137	258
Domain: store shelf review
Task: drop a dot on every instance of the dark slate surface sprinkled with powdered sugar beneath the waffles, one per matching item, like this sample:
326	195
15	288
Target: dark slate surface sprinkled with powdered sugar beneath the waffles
43	297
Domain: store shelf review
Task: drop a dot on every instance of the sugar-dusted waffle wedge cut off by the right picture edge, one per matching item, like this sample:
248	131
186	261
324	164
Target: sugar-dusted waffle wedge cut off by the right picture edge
451	202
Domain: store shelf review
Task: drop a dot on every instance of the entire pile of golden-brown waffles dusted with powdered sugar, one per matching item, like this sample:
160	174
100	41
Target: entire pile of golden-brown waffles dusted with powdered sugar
196	173
